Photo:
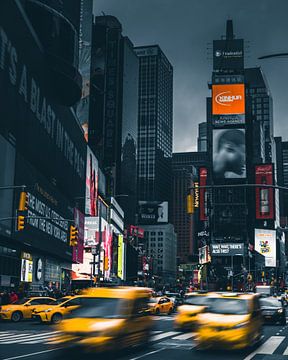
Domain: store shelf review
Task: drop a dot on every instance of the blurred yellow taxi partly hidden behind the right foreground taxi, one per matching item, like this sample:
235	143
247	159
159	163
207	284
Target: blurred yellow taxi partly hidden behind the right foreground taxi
194	304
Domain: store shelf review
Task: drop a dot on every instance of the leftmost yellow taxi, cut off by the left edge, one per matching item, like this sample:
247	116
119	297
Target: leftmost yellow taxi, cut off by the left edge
22	309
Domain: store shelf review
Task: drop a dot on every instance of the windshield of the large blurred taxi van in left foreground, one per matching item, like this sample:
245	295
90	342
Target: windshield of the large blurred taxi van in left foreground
102	308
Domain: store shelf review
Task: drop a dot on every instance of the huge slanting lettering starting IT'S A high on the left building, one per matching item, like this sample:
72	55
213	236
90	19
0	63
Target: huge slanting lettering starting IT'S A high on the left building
30	91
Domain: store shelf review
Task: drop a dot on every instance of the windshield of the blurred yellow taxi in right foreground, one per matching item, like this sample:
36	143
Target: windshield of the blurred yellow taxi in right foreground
228	306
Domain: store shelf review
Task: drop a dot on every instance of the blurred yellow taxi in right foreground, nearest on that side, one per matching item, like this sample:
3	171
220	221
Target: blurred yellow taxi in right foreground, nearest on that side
231	321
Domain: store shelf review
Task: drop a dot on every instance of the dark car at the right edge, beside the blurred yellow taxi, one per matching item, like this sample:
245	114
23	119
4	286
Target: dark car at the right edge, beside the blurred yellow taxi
273	310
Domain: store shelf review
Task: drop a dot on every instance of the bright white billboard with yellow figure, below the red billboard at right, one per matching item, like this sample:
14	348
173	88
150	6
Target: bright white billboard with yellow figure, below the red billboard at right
265	244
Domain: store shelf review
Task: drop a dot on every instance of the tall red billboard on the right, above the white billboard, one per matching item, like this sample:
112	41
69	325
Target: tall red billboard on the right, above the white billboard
264	175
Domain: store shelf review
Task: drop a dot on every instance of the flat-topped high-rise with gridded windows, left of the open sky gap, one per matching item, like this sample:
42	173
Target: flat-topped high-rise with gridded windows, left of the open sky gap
155	130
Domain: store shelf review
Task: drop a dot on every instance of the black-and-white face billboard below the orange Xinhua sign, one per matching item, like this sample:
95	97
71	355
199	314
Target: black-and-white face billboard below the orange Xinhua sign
229	153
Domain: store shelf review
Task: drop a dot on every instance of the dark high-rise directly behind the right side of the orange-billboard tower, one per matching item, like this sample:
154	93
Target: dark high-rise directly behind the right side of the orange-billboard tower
262	112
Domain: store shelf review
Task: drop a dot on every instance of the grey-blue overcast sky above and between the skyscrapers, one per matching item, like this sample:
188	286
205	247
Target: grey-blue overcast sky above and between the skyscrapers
184	29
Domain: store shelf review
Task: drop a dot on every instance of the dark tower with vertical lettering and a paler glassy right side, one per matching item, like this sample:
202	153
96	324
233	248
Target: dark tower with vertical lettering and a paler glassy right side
113	122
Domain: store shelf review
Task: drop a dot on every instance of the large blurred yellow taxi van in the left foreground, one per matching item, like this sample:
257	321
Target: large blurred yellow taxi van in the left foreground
108	319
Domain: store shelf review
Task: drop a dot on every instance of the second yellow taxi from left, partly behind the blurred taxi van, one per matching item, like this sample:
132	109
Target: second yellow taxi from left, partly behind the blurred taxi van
54	313
